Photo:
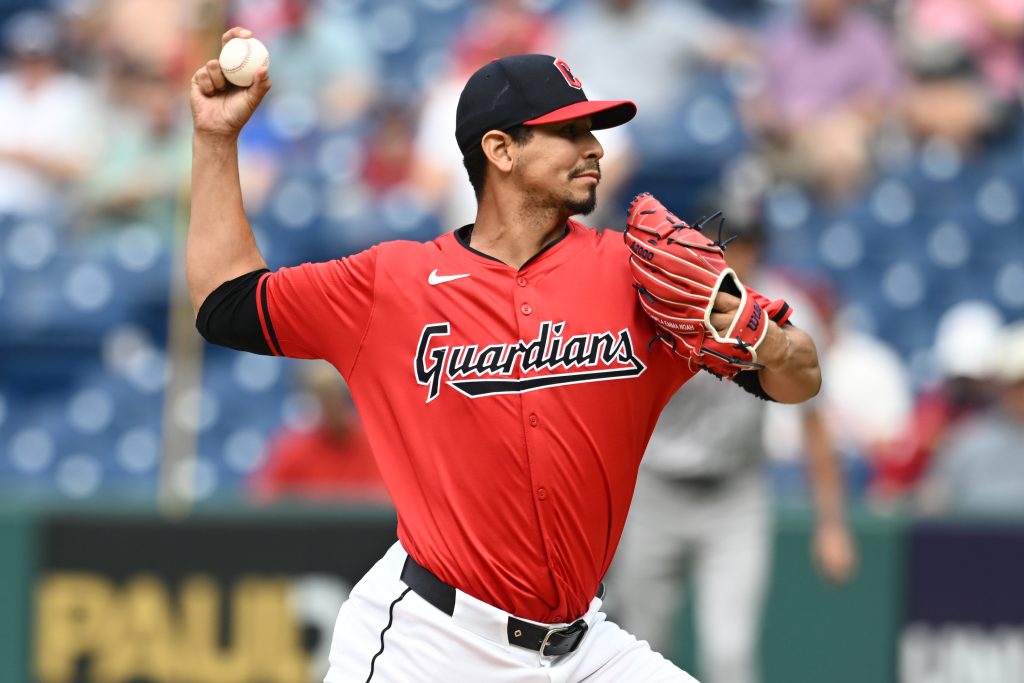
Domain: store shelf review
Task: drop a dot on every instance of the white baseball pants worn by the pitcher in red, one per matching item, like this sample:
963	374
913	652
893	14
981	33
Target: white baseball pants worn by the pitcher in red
387	633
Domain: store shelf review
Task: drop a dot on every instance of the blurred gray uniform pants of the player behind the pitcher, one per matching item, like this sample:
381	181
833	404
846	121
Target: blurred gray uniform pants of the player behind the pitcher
721	537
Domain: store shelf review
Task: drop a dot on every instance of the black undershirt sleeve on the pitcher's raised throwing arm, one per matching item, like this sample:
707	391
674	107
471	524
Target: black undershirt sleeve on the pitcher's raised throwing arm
229	316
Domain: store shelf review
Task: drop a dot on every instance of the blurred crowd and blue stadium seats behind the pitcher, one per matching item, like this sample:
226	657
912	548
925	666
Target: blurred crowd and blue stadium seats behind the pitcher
809	119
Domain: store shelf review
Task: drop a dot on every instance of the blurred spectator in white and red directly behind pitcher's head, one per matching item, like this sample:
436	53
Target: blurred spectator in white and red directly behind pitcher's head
498	29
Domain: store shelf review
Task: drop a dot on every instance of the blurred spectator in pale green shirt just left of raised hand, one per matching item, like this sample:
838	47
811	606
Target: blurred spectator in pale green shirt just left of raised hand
147	156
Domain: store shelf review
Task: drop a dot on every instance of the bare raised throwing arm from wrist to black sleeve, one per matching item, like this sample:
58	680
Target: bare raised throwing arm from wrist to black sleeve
221	244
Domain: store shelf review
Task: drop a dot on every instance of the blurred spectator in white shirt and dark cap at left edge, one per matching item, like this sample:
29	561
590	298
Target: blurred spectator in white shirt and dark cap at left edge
47	120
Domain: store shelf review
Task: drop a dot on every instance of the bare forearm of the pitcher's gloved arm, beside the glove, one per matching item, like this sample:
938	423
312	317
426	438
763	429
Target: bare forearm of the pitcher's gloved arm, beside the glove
791	374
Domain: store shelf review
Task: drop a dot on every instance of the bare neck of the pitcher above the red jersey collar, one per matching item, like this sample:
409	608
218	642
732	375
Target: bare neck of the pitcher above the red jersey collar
514	232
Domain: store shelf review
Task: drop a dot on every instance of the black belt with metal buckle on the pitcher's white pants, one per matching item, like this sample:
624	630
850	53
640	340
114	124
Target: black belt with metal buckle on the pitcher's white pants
550	643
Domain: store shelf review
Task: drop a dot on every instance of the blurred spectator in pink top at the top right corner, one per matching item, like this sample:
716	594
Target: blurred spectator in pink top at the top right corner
968	61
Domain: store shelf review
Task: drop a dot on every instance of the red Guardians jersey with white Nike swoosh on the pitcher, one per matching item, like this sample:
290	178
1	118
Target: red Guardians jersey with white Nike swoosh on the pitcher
508	410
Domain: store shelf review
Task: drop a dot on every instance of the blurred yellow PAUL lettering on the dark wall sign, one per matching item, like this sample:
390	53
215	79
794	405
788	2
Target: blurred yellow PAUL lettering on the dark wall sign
142	629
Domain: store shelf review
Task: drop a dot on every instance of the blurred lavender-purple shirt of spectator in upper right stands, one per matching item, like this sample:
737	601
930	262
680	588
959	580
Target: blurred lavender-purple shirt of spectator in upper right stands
809	73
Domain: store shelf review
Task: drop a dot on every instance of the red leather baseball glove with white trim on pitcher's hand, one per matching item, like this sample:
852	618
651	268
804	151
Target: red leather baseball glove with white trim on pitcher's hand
678	273
